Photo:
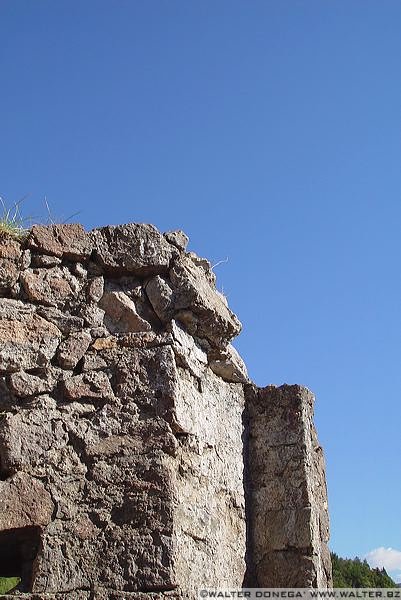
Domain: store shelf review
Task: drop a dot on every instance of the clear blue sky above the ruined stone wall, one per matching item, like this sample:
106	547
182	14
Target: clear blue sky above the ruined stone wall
270	132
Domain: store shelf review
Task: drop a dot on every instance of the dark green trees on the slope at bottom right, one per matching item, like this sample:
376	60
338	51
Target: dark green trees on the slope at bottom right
355	573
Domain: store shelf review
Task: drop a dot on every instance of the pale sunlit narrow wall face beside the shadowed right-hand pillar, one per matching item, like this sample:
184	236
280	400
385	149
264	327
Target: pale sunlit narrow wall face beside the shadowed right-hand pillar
209	524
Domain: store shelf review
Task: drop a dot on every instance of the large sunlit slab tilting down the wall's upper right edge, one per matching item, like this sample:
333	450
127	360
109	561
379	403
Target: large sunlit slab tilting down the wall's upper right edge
193	292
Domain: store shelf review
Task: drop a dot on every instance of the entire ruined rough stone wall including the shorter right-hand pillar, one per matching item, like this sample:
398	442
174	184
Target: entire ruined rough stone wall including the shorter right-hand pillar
135	456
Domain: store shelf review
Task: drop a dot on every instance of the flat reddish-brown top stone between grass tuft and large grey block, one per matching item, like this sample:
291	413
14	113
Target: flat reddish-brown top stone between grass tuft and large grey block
69	240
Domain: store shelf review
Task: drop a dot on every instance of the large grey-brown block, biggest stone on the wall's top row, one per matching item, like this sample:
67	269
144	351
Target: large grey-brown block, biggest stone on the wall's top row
133	248
